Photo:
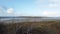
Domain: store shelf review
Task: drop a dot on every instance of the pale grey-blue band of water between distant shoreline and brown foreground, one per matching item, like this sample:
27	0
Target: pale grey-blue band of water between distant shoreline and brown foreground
26	19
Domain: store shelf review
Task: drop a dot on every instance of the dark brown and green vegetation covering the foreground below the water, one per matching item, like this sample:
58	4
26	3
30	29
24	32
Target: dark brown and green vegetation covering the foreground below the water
43	27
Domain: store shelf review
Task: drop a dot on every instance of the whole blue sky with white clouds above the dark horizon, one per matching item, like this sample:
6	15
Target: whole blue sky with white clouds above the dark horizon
50	8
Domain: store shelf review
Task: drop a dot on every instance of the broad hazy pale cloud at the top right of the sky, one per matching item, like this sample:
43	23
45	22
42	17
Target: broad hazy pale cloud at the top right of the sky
48	3
